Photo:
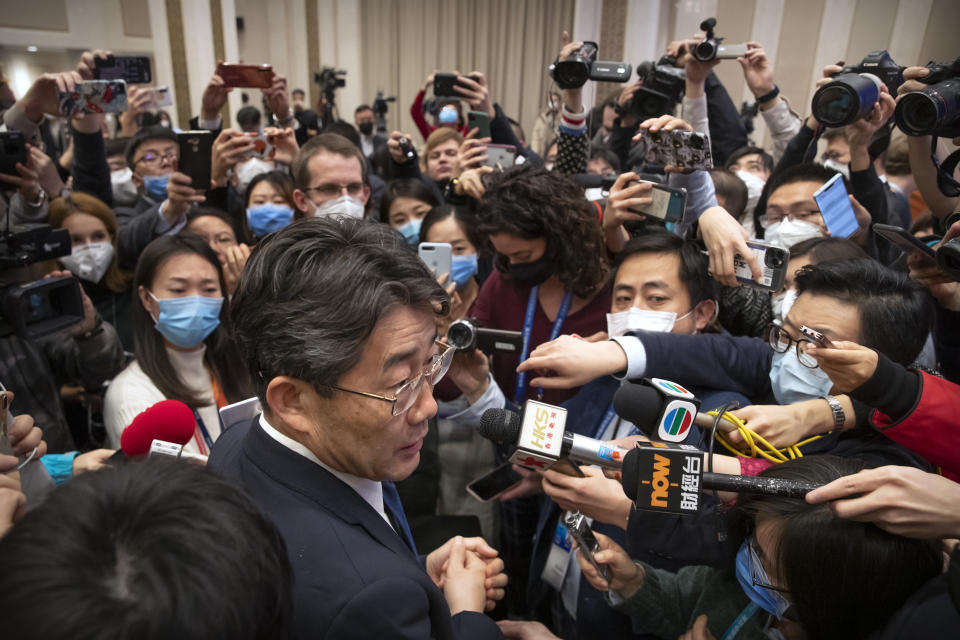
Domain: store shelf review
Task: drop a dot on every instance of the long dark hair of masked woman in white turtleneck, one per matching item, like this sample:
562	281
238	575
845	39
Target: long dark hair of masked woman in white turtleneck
149	345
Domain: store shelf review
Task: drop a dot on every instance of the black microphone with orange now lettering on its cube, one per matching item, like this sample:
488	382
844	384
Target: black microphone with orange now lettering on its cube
668	478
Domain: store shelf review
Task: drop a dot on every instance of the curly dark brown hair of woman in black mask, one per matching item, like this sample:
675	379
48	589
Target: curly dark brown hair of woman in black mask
530	202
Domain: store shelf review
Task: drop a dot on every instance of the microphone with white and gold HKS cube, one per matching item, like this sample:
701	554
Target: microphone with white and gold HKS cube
542	440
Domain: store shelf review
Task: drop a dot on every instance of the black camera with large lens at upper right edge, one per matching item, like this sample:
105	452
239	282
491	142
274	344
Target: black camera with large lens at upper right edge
935	109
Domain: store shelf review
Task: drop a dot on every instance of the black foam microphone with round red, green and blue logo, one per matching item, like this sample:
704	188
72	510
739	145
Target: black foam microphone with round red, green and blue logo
663	410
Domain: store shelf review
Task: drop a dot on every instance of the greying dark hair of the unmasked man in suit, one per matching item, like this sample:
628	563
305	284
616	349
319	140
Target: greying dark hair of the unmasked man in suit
312	293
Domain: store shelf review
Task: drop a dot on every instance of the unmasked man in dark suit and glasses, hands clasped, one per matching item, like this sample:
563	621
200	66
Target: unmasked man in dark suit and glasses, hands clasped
336	320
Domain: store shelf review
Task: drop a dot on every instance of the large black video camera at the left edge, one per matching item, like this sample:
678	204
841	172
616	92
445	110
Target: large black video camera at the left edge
38	308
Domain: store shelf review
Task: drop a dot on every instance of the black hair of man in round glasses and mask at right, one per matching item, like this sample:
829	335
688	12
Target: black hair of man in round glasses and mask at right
896	313
